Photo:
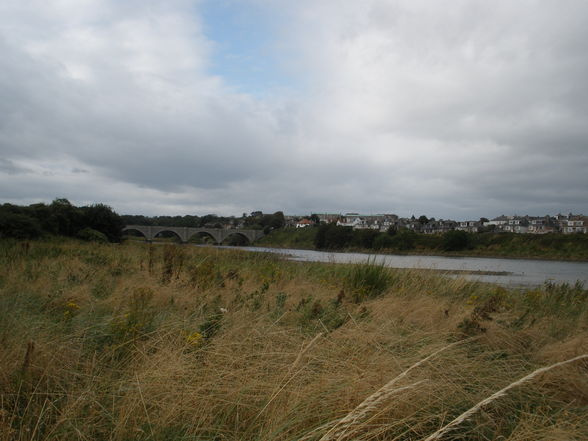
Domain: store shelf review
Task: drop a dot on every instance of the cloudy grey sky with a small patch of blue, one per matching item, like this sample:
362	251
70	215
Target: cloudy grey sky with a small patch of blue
453	109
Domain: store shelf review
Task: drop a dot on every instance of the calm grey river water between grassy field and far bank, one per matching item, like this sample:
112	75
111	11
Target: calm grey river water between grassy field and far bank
519	271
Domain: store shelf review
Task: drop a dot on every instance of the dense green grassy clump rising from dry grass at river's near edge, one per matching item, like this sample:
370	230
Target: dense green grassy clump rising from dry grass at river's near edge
368	280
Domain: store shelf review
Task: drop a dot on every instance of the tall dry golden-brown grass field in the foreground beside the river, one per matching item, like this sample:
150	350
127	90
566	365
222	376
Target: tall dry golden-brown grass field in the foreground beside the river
168	342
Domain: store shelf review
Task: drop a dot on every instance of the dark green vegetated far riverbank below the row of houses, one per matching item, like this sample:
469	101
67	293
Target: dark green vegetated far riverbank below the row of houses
454	243
